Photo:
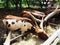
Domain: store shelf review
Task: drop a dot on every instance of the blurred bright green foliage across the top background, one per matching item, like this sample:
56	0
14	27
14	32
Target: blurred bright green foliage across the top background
21	3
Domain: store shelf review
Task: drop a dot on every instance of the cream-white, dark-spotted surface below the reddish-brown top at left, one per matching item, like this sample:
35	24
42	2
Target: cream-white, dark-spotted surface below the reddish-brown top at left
24	26
